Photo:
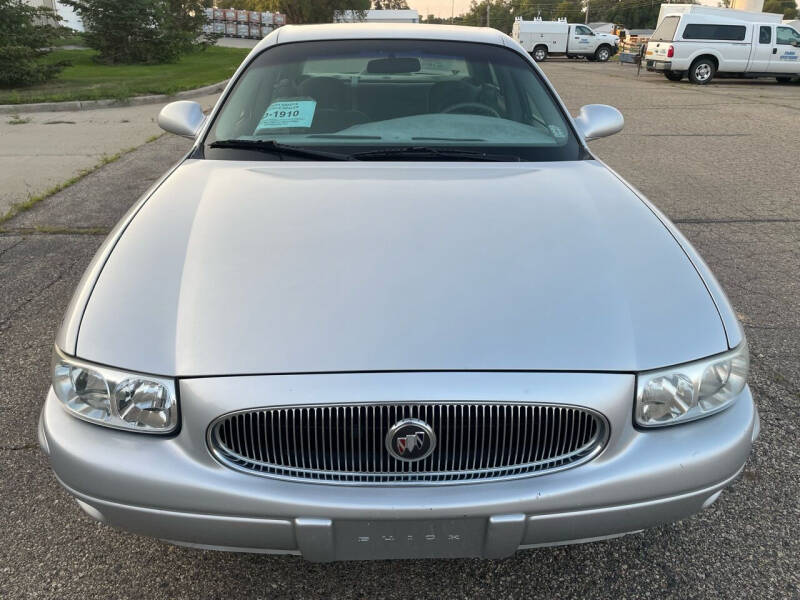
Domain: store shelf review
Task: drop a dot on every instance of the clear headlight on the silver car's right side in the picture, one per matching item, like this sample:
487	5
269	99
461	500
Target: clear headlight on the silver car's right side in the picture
693	390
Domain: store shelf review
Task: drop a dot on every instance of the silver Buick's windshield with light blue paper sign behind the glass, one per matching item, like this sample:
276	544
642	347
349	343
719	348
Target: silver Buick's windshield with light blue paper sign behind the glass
377	97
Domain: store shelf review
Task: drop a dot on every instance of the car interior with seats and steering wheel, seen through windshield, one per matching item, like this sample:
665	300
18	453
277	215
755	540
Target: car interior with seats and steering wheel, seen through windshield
383	89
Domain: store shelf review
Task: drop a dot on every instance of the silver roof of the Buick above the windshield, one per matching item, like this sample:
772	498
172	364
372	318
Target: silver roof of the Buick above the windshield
349	31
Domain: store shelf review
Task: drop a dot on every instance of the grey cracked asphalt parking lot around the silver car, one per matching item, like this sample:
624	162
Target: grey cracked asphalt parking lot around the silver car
720	160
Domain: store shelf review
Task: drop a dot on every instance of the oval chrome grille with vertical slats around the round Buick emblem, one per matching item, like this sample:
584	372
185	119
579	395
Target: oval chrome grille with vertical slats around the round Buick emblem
346	443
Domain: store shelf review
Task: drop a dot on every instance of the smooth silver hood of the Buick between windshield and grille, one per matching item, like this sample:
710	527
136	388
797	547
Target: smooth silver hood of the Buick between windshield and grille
288	267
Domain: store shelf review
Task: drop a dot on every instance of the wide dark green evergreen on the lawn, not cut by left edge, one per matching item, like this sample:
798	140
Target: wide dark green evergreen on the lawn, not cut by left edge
142	31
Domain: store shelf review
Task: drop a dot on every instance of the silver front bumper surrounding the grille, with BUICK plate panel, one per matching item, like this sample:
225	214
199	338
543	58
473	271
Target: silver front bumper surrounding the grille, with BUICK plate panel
171	488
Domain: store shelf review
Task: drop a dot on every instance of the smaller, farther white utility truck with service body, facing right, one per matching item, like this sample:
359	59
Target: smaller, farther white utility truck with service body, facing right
544	38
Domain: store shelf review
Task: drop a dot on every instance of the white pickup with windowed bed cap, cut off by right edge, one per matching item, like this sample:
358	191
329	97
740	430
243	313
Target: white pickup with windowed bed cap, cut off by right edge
705	42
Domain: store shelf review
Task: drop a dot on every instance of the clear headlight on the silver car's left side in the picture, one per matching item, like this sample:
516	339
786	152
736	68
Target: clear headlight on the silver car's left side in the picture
115	398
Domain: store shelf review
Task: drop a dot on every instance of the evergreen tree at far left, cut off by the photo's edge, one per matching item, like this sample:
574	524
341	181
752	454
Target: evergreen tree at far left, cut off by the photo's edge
26	34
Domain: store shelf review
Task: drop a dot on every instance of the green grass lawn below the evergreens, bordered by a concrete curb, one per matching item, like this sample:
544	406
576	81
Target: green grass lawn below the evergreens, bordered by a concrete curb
88	80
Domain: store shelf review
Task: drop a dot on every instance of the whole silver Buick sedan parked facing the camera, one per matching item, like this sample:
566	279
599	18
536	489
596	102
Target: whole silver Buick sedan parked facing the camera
390	305
